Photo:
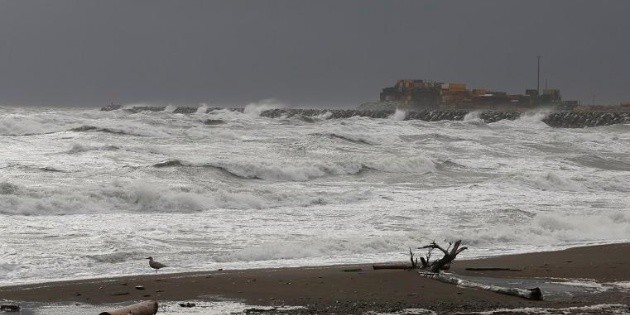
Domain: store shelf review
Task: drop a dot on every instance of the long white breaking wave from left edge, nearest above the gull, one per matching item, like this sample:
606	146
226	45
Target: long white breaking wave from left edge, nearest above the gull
142	197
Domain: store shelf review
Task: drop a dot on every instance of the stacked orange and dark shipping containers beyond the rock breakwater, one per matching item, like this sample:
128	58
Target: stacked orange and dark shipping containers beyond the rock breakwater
431	95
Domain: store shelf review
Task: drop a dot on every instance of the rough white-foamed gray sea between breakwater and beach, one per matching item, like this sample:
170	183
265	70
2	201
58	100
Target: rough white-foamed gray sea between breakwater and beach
85	193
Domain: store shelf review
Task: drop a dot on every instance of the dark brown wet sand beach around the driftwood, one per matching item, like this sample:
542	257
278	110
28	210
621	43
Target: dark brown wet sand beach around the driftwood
356	289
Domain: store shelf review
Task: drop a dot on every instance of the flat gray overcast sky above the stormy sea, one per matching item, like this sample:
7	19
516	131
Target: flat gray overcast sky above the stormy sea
317	53
